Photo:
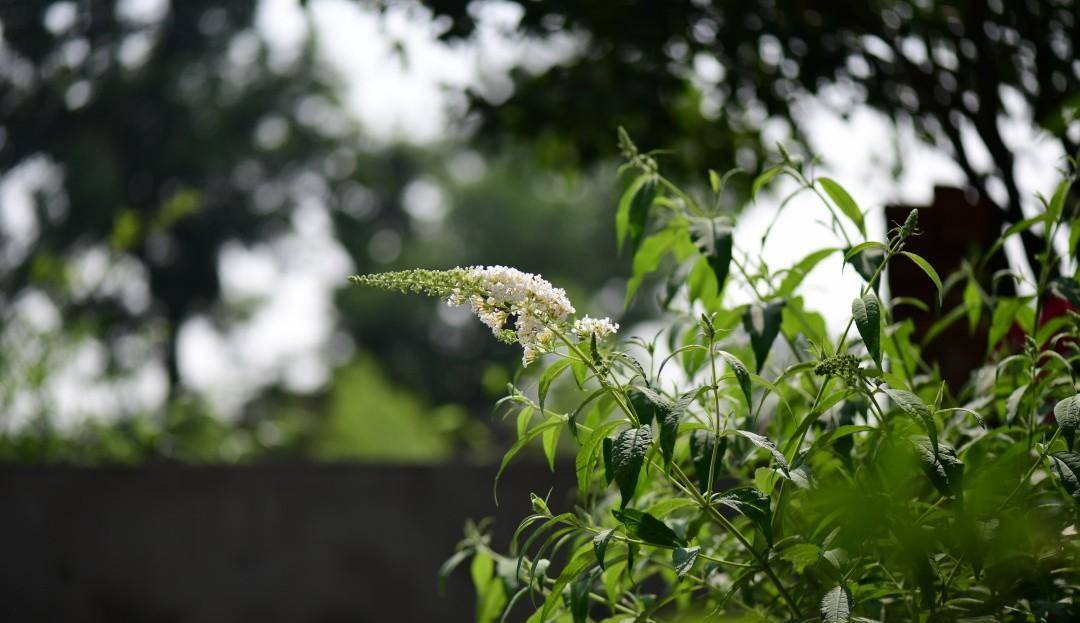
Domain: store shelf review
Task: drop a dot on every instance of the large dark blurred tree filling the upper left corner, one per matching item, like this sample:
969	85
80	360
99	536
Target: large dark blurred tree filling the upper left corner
155	124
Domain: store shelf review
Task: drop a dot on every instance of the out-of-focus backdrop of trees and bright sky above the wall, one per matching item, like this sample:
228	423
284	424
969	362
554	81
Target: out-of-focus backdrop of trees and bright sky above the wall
185	187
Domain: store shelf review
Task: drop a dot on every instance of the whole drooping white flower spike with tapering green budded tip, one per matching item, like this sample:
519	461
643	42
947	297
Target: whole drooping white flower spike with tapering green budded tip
497	294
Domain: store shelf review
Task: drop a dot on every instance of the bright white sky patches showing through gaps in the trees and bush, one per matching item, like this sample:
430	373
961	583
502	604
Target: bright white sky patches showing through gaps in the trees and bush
404	85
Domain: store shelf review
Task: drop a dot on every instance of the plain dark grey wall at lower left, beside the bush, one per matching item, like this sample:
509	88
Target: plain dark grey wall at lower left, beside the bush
267	544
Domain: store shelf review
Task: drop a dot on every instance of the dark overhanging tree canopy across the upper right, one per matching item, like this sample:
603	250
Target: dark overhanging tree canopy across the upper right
946	66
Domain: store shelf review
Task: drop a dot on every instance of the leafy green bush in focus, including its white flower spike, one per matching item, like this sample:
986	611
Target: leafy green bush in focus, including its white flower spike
747	466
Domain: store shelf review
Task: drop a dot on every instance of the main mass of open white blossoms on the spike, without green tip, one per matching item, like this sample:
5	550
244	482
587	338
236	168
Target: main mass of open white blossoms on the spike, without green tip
534	303
